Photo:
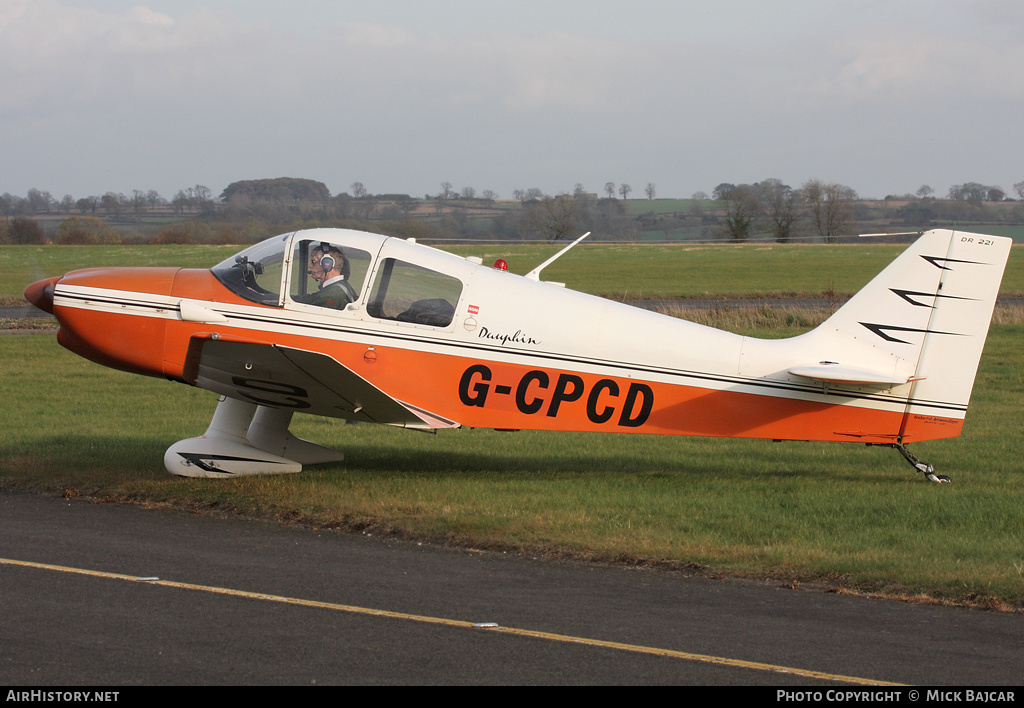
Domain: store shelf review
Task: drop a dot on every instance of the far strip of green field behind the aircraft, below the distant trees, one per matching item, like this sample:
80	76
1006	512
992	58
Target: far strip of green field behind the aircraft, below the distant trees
634	271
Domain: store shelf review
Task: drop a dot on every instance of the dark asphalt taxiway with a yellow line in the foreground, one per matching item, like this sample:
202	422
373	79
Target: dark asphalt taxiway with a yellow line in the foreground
109	595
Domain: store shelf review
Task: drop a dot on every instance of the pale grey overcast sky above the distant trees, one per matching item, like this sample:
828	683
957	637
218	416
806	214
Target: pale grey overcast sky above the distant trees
105	96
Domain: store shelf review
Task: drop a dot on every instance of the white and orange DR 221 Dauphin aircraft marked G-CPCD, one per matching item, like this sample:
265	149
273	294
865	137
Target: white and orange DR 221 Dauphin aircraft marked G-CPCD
417	338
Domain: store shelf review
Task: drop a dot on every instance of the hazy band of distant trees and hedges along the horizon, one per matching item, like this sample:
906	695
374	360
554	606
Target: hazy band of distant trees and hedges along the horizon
250	210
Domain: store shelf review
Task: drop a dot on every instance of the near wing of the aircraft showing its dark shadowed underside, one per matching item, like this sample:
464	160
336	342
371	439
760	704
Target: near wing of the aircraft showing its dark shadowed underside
298	380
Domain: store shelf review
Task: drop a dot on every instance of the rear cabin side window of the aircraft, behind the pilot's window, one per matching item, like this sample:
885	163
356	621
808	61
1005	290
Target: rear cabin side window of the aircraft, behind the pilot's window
407	293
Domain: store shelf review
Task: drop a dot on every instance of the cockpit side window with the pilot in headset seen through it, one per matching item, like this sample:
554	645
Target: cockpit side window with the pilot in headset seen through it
328	275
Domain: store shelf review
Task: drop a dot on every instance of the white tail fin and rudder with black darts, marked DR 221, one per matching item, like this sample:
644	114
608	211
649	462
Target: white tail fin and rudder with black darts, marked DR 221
924	321
